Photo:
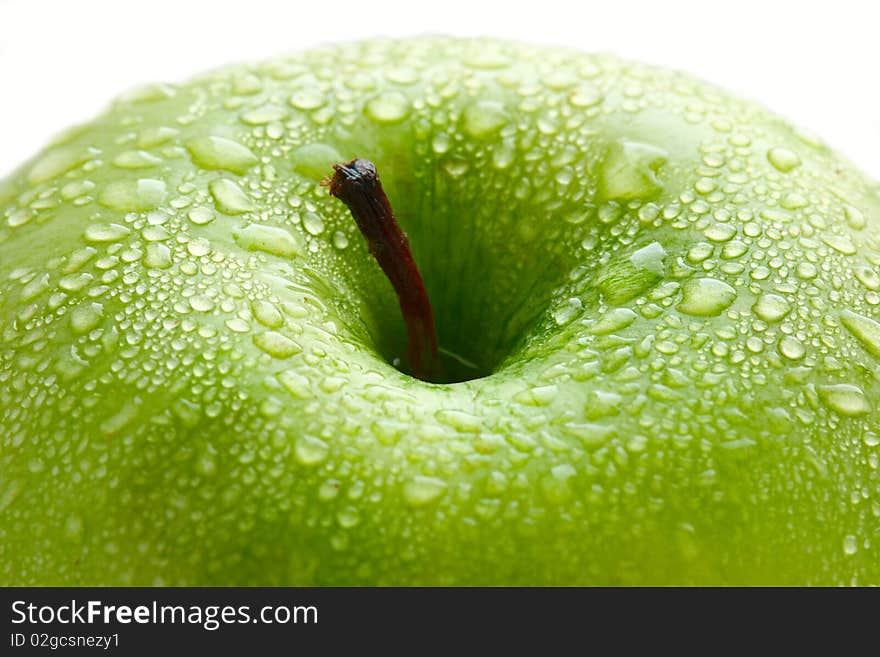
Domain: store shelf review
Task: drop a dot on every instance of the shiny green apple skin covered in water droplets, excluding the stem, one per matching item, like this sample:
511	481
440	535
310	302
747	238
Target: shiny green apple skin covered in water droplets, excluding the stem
672	293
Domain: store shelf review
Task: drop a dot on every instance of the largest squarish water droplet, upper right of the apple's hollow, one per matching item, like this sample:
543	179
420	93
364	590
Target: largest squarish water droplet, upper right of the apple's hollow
630	170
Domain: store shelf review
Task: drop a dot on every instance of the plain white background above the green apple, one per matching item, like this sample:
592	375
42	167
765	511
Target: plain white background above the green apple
816	63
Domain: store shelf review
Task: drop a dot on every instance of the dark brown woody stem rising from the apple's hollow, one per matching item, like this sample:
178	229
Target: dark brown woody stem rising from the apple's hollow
356	184
